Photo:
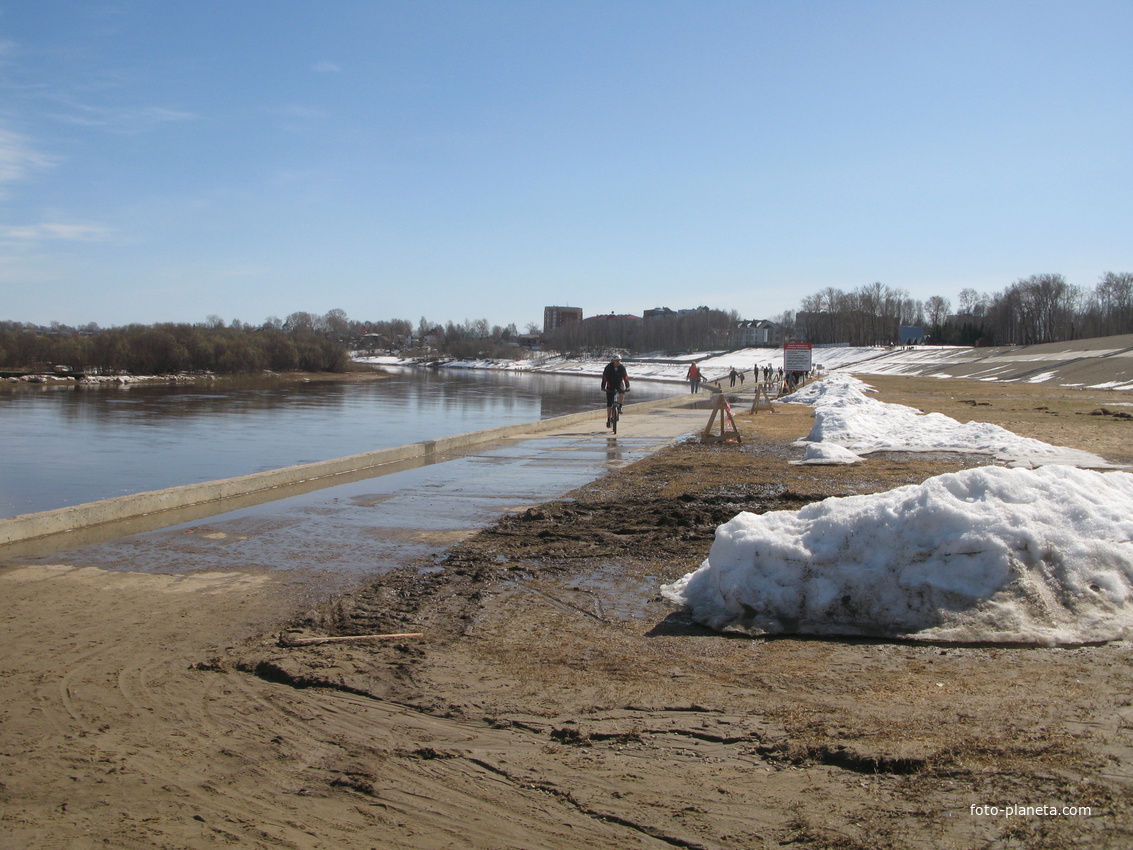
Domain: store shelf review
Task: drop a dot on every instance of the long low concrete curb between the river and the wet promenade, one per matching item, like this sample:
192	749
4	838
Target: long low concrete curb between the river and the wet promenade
31	526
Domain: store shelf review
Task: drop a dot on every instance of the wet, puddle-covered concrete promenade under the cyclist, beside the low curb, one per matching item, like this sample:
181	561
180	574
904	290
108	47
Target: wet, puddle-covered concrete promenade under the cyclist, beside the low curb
335	538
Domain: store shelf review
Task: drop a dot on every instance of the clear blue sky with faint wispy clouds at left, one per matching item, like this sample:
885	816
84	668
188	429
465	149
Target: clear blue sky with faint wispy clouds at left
171	161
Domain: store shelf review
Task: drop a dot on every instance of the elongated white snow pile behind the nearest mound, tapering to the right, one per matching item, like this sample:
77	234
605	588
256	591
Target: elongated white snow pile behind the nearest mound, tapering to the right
846	416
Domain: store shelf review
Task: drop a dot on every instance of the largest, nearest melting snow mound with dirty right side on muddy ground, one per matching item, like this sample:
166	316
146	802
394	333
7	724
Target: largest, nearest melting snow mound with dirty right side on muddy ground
986	555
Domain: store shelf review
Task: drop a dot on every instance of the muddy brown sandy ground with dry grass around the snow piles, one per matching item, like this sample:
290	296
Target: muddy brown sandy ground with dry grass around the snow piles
556	701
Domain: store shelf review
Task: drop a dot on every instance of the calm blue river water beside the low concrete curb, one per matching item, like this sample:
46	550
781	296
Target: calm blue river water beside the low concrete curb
66	446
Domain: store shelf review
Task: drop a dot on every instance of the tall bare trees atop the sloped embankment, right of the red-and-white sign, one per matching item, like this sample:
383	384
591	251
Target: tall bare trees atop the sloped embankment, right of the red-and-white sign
1041	309
